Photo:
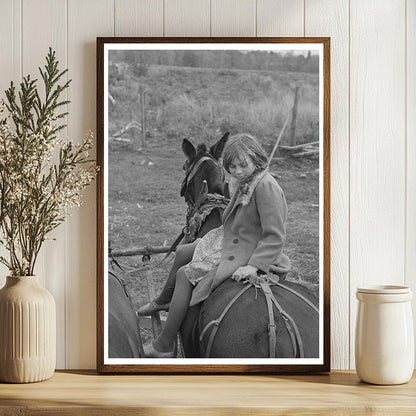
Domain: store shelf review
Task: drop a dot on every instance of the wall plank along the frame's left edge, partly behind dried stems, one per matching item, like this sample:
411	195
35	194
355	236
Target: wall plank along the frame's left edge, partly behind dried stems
85	18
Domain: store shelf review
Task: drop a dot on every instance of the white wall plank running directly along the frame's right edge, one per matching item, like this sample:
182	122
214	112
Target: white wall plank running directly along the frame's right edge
330	18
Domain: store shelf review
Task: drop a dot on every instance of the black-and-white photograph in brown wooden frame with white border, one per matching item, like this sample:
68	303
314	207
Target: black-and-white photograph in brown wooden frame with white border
213	205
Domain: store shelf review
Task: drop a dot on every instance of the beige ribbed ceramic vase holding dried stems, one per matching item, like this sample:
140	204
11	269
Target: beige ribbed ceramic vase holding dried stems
27	331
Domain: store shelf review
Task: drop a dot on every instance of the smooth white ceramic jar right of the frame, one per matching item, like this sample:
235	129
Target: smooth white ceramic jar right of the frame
384	341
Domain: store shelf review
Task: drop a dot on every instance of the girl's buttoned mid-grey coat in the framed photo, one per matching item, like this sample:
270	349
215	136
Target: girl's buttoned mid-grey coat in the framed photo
254	233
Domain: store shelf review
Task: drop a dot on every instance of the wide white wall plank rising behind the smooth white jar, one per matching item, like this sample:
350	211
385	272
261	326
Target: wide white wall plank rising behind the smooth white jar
377	148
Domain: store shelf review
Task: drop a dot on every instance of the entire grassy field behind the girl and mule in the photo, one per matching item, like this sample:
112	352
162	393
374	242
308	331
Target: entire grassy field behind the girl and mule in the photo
145	207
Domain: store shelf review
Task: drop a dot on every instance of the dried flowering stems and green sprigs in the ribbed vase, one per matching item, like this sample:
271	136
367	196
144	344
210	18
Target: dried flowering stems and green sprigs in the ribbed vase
37	194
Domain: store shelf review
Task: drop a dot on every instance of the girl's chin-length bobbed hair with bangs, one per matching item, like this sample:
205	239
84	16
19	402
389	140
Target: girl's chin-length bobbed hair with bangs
242	145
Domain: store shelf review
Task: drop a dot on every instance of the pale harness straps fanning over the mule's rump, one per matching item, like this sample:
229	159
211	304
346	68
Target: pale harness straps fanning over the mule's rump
290	324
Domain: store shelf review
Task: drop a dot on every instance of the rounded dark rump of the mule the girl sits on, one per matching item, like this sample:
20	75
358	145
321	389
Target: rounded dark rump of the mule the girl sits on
227	325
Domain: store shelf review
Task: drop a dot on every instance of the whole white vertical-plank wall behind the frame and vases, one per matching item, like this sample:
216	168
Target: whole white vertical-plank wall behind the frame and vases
373	132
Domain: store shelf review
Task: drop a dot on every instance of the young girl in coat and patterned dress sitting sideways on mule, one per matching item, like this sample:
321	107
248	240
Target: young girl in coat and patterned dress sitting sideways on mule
250	240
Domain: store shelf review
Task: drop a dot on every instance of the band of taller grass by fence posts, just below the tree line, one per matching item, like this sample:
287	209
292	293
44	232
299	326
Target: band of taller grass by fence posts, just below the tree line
200	103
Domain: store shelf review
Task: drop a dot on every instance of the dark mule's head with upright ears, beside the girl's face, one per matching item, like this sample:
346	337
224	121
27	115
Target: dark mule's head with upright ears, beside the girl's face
203	169
